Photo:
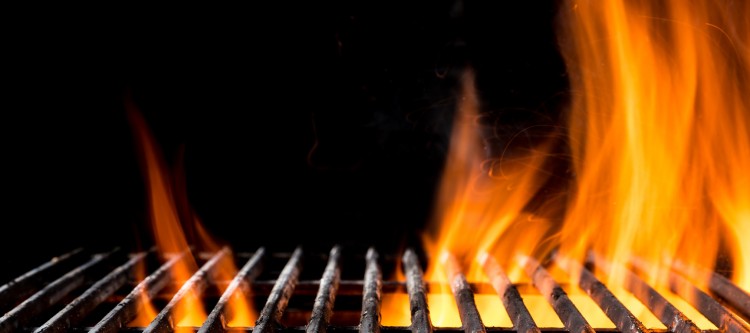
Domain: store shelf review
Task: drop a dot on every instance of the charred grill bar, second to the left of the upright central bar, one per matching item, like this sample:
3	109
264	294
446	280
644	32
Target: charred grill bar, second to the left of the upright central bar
270	317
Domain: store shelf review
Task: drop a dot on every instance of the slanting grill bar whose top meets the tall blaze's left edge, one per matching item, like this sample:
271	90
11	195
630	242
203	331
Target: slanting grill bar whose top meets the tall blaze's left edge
623	319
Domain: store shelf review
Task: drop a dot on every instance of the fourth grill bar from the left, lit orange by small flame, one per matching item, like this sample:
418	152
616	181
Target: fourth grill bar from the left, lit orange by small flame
128	308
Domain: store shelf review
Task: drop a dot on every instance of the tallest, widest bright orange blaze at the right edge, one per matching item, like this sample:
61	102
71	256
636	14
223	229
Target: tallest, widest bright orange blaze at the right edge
658	127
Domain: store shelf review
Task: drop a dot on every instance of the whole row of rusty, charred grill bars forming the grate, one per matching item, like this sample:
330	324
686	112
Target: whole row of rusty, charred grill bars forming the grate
85	298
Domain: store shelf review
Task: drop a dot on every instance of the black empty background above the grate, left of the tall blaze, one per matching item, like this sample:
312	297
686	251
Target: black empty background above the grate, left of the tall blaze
314	124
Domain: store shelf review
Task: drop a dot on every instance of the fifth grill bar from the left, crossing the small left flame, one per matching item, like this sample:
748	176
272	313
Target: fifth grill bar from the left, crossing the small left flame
165	321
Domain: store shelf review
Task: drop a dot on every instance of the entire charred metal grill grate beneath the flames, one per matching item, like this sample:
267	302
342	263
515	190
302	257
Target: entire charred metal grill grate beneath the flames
370	287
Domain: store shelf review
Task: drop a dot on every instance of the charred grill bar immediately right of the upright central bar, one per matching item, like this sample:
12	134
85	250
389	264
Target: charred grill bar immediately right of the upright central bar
420	313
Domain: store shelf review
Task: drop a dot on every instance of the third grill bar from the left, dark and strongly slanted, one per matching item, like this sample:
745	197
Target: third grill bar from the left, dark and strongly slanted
79	308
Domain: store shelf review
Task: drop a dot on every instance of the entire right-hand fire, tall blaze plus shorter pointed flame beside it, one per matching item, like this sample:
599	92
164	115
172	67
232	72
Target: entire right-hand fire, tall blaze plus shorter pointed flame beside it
658	134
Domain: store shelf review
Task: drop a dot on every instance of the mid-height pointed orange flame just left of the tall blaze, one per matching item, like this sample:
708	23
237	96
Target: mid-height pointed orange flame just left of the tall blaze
479	194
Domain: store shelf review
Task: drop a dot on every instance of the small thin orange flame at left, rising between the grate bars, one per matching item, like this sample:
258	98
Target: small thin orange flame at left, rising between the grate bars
170	239
